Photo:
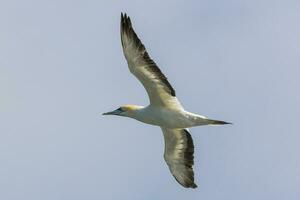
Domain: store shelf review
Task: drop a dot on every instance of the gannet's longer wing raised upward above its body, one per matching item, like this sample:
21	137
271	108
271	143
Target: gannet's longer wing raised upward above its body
159	90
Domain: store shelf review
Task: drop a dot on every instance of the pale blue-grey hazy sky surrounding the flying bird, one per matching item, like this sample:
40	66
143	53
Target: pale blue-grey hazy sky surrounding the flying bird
61	66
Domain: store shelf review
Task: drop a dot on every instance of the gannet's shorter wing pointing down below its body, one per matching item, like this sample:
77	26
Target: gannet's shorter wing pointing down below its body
179	155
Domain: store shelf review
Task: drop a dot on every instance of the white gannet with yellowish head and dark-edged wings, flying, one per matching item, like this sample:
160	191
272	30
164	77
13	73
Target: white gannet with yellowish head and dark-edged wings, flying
164	109
